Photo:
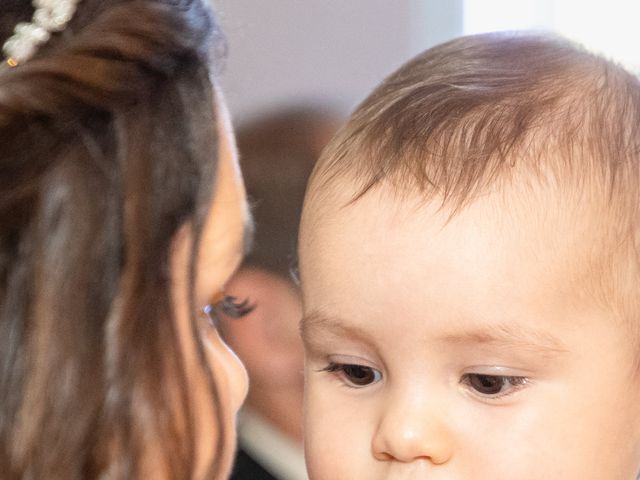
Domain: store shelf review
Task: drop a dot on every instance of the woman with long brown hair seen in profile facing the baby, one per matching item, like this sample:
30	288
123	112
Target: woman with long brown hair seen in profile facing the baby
121	209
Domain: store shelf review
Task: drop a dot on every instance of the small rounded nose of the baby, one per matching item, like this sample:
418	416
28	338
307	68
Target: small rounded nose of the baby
413	429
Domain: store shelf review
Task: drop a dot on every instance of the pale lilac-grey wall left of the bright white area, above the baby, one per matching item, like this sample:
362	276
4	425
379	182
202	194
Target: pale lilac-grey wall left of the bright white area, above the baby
324	51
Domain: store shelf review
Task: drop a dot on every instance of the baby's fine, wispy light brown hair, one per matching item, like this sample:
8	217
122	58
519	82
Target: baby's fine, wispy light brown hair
473	115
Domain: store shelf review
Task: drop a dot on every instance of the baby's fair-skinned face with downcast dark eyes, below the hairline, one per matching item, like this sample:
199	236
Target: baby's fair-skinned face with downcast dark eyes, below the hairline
473	349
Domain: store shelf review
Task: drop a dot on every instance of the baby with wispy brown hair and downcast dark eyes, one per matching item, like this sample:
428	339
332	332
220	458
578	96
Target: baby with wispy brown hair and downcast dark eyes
469	258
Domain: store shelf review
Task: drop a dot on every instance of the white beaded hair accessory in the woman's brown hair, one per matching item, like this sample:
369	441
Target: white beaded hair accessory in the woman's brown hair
50	16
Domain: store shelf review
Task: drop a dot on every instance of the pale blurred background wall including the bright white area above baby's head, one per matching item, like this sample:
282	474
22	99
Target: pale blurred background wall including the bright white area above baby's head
332	52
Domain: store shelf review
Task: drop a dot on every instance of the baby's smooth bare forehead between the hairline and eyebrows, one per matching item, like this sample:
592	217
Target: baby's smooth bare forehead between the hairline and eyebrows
526	239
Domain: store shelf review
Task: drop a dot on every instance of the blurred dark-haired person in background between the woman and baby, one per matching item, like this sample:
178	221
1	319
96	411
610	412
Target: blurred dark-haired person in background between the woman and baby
278	152
